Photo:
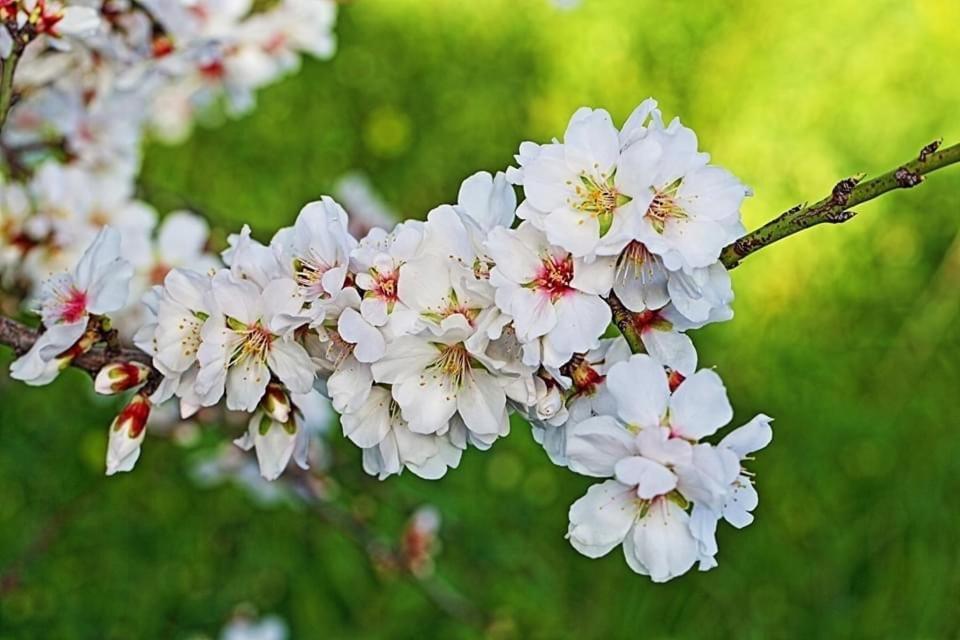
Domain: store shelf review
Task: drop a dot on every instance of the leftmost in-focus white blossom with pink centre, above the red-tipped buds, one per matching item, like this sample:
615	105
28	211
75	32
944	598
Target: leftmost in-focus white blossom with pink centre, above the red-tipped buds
99	284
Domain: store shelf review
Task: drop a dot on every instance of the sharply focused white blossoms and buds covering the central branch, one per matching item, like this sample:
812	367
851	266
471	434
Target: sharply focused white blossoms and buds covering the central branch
425	337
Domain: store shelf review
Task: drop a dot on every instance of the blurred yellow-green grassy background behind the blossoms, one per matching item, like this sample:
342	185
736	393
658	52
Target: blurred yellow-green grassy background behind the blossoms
848	336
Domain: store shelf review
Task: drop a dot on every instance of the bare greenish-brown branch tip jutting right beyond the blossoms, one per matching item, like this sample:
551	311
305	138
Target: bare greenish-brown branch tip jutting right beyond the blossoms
836	207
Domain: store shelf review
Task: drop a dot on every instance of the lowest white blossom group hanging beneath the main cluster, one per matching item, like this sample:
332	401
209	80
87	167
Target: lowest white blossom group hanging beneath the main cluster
659	469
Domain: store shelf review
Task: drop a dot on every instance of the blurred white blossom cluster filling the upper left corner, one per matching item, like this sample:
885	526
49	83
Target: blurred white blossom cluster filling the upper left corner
93	79
